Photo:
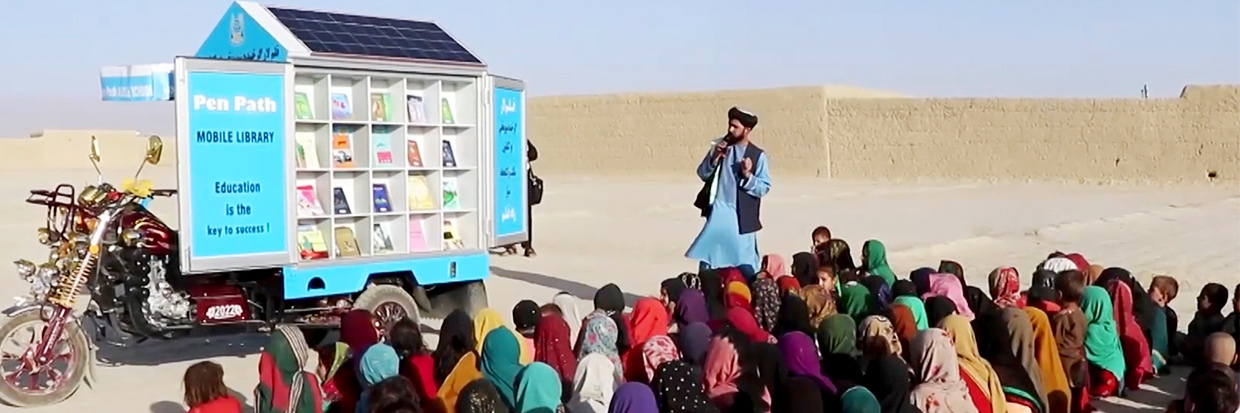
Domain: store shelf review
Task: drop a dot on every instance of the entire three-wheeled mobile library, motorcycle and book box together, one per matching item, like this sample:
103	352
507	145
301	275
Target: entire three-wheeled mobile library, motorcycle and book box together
325	163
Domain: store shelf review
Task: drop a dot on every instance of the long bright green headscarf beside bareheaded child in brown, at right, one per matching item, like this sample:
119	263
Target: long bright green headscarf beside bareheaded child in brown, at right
1102	338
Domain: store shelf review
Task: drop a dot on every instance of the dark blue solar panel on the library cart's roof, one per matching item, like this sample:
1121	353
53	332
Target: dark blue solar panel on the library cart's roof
330	33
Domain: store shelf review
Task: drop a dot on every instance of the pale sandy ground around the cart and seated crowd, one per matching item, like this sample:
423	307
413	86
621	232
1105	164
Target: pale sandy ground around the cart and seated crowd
634	233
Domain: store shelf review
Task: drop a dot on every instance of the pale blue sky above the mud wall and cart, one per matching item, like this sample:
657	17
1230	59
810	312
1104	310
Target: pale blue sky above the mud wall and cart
54	49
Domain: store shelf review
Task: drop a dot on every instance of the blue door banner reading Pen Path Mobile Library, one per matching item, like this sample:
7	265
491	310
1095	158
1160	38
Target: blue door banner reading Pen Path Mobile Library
237	164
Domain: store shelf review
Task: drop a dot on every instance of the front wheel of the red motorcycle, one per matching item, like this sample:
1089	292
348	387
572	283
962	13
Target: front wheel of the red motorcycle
25	384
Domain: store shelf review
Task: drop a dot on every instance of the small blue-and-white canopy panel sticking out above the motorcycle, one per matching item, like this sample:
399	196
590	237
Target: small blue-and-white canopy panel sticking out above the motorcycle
137	84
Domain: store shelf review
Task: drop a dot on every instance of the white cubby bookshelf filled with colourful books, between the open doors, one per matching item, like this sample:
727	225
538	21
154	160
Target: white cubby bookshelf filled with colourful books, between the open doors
379	143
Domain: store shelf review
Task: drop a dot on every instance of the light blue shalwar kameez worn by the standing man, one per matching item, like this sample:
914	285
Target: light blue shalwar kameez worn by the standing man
721	244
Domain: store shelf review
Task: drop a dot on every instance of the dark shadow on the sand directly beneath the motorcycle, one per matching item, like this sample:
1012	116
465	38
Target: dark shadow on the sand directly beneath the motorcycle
154	353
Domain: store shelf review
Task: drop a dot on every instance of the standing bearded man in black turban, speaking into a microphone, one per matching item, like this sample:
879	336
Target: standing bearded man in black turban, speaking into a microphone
736	174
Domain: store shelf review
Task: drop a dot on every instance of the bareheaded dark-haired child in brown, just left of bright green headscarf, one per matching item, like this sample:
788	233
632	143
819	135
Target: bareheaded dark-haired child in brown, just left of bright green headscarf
1069	328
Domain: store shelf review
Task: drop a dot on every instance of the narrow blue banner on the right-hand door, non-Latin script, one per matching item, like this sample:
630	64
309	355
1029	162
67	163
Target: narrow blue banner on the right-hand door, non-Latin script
510	154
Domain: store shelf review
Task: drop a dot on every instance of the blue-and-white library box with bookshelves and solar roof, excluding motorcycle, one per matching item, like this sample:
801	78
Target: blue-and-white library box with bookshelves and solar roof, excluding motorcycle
350	154
